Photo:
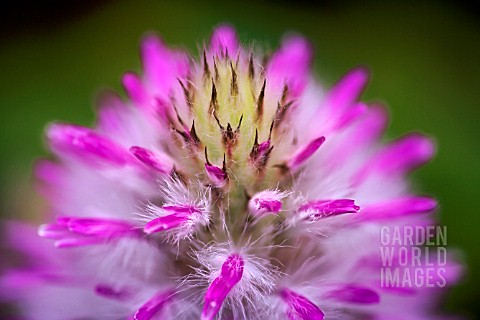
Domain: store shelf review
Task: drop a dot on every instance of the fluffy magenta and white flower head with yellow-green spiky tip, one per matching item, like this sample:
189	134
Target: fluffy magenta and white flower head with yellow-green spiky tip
222	188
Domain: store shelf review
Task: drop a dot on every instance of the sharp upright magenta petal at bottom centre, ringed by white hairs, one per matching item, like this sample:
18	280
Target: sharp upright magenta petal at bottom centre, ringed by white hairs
230	275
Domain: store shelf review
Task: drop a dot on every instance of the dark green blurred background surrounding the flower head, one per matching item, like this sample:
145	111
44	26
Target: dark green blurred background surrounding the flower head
55	56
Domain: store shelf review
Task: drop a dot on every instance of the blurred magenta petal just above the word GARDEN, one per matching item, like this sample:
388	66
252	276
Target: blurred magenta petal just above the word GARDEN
397	208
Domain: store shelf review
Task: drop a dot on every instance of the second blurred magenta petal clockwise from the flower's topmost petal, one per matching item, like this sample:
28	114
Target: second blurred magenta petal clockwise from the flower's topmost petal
347	90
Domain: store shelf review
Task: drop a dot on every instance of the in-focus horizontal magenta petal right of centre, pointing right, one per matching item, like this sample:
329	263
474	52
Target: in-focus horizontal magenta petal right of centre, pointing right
319	209
